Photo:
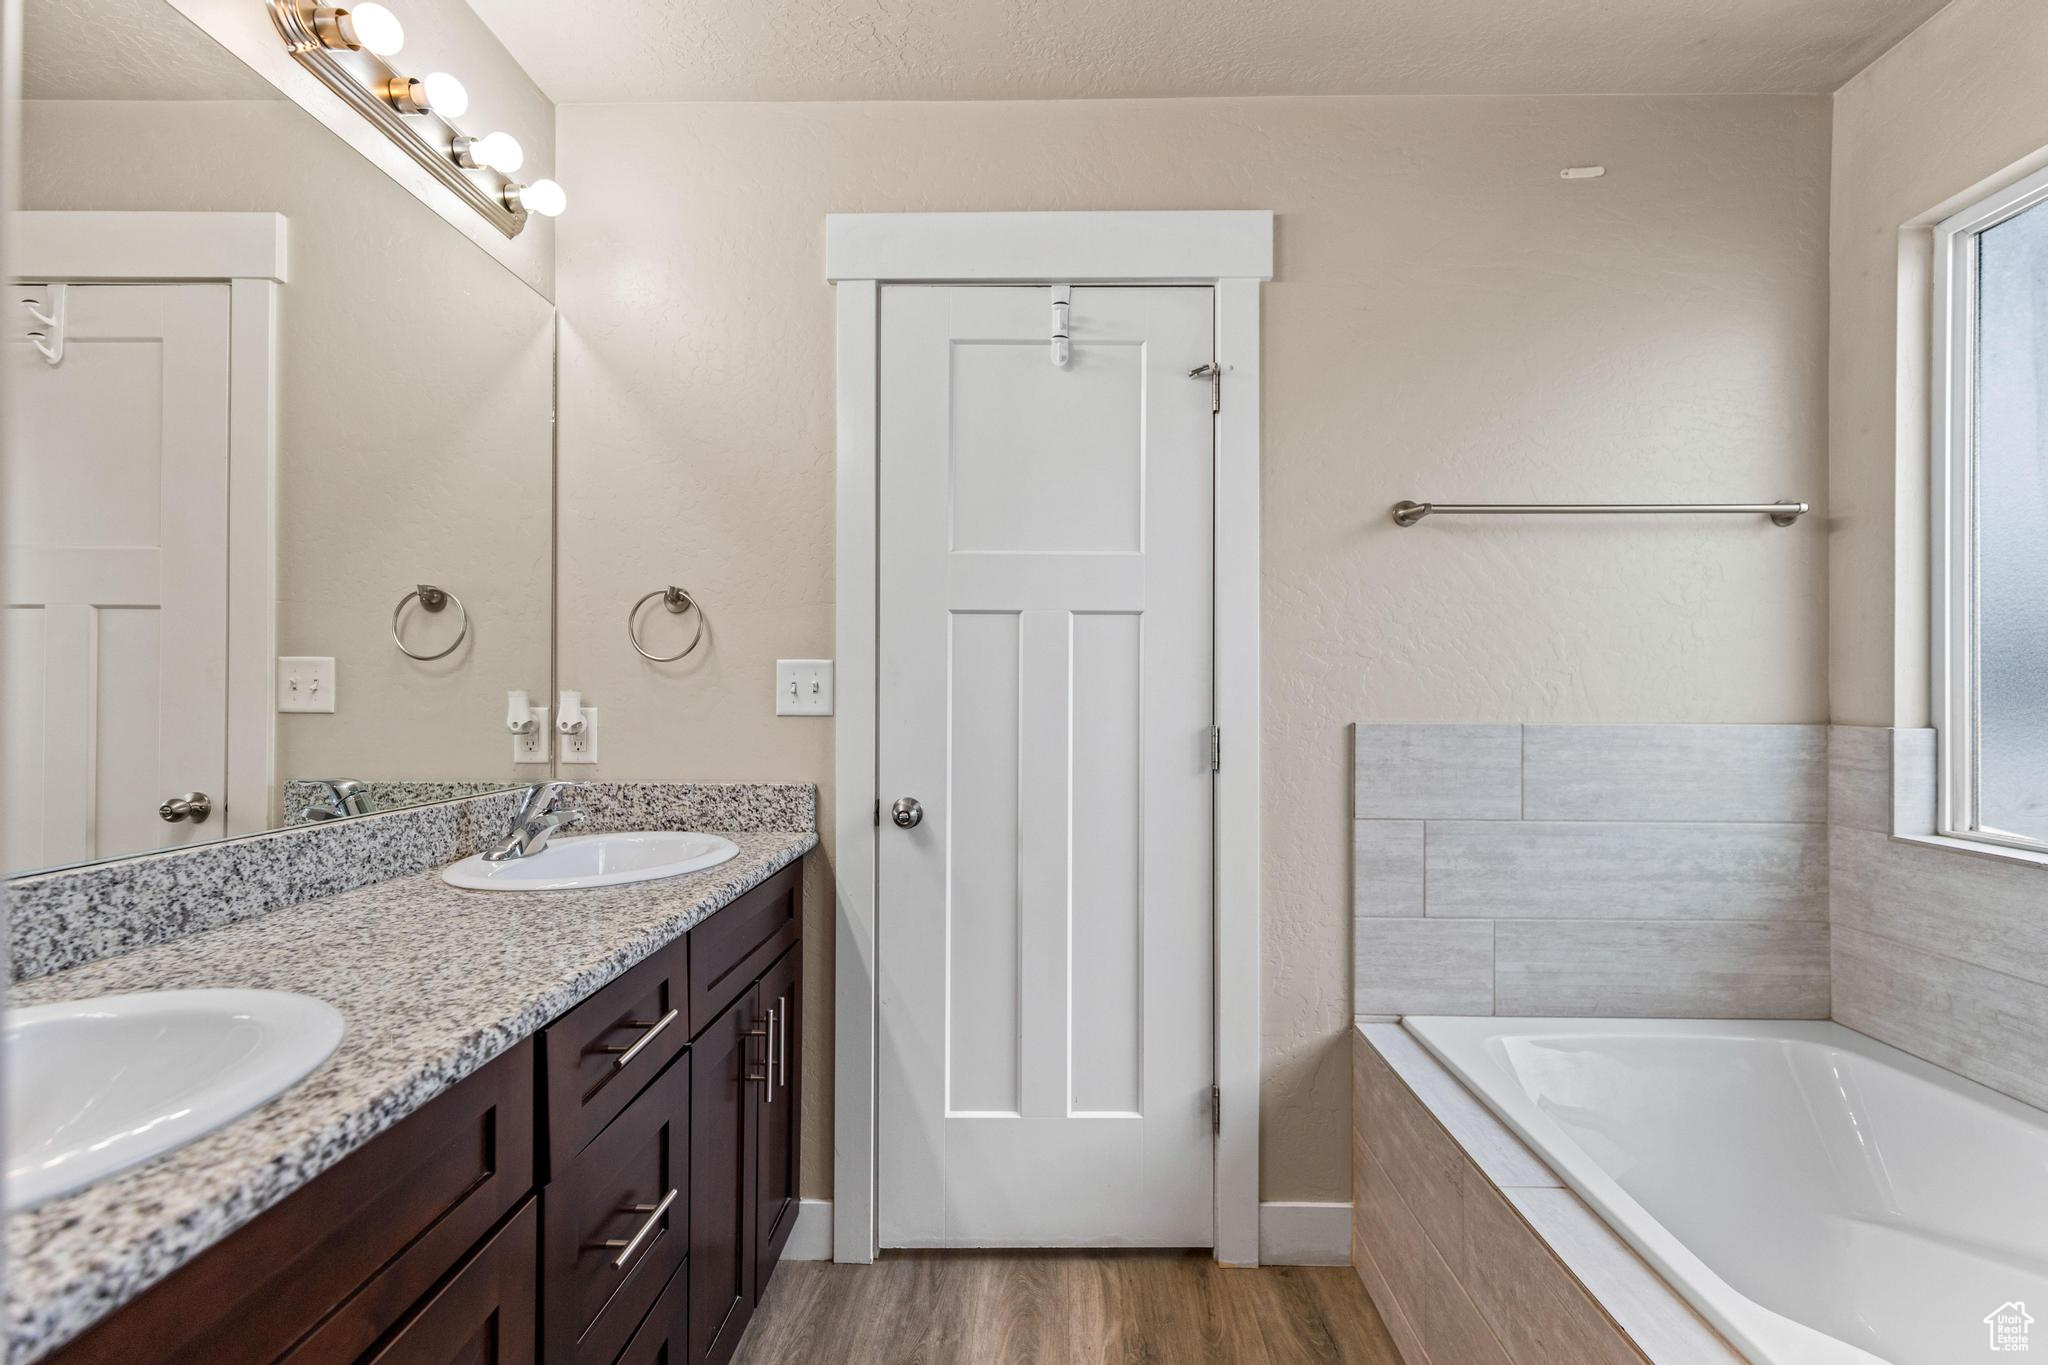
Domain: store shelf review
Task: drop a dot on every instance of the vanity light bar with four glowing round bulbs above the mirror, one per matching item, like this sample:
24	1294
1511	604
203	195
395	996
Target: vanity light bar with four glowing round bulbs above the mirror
347	48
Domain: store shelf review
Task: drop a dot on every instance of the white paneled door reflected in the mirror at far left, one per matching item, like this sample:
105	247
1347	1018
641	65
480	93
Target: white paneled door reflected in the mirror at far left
116	578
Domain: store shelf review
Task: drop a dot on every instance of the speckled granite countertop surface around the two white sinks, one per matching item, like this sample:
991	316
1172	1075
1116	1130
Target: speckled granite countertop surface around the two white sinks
433	983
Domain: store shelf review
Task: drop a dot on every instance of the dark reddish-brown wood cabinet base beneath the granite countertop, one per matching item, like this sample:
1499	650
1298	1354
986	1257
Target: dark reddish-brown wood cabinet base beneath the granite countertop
613	1192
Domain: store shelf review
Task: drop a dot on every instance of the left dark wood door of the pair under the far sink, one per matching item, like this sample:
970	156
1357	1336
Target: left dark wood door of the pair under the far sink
726	1075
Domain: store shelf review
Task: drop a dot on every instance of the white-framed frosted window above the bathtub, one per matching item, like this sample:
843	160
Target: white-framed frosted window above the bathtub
1992	592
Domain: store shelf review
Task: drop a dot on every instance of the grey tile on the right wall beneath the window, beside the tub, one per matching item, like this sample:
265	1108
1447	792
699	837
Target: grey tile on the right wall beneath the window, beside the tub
1938	951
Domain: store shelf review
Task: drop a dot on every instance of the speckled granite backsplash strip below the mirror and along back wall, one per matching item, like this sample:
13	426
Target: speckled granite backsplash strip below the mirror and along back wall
60	920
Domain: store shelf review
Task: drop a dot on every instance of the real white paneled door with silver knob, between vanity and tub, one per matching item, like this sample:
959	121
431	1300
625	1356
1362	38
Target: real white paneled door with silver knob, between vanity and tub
1046	926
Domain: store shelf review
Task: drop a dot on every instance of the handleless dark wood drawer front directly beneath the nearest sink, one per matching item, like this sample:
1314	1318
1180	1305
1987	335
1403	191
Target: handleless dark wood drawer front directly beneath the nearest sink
345	1258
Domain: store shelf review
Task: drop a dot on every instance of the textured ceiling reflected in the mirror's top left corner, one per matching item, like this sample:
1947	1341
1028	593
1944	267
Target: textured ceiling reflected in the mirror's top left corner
128	50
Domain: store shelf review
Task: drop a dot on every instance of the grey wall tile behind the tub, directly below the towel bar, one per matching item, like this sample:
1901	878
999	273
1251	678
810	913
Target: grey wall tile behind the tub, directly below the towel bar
1592	871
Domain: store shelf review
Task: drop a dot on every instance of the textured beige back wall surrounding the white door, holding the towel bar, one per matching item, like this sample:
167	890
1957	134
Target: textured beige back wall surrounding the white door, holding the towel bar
1449	320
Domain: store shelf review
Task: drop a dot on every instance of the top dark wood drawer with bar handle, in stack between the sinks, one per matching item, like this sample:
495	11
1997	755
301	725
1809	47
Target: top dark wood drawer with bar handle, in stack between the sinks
605	1051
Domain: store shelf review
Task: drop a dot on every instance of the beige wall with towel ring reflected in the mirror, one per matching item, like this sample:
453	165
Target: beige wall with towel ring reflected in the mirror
415	439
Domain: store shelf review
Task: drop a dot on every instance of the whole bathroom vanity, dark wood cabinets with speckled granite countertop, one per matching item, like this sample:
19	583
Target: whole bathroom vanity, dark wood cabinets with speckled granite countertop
562	1127
